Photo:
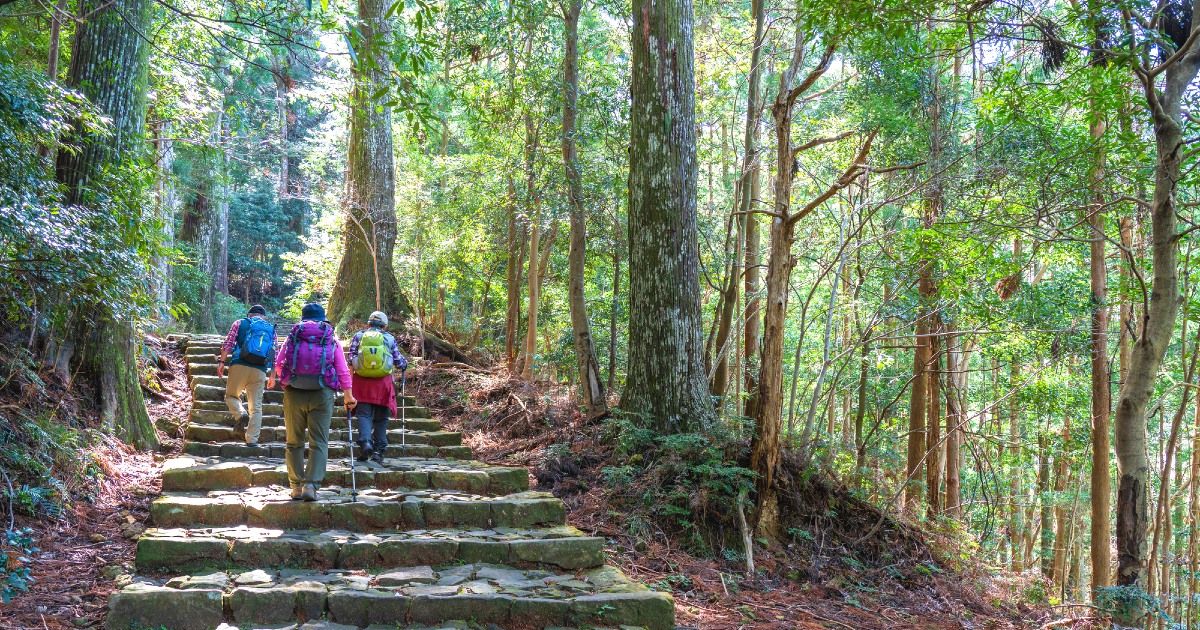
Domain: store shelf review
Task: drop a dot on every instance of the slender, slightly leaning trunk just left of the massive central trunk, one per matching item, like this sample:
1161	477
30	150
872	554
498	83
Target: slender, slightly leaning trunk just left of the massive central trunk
592	392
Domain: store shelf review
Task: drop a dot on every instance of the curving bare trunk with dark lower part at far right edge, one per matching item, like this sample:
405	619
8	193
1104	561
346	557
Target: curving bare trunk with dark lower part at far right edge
1159	325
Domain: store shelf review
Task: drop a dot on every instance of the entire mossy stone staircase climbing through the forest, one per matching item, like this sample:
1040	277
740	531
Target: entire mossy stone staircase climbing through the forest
434	539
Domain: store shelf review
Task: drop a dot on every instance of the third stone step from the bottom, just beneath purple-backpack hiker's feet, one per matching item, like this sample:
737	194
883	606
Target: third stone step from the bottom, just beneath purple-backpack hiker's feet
375	509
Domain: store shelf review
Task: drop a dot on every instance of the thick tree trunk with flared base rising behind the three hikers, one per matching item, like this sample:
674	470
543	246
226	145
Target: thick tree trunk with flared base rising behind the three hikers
367	280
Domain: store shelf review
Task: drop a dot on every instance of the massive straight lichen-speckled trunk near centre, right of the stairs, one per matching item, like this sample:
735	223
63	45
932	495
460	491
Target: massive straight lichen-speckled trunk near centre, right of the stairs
667	382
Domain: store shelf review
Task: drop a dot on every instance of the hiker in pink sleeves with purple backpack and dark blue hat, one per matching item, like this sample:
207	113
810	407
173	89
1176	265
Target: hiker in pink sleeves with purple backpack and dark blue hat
313	369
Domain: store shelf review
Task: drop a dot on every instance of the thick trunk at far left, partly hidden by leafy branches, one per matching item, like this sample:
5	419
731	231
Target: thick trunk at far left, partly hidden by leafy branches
109	65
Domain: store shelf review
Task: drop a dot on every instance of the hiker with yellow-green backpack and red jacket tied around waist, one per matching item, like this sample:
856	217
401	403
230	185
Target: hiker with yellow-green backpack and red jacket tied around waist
376	358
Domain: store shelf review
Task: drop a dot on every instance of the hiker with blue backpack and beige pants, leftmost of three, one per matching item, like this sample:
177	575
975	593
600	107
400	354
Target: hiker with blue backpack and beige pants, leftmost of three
250	352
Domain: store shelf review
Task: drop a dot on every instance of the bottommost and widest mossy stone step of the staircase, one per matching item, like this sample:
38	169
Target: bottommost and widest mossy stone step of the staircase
482	593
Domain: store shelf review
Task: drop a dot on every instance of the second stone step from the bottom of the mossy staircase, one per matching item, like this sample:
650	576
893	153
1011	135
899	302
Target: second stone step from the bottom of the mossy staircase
193	550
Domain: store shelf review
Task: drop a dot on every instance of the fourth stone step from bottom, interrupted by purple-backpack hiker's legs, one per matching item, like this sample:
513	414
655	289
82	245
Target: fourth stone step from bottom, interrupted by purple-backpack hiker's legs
411	473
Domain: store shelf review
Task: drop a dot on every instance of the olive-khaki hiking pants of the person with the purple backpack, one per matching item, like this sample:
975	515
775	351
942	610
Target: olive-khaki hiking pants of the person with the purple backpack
308	413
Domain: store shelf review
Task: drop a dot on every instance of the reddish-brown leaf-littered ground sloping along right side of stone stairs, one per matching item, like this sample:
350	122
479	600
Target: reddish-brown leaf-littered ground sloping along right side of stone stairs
511	422
